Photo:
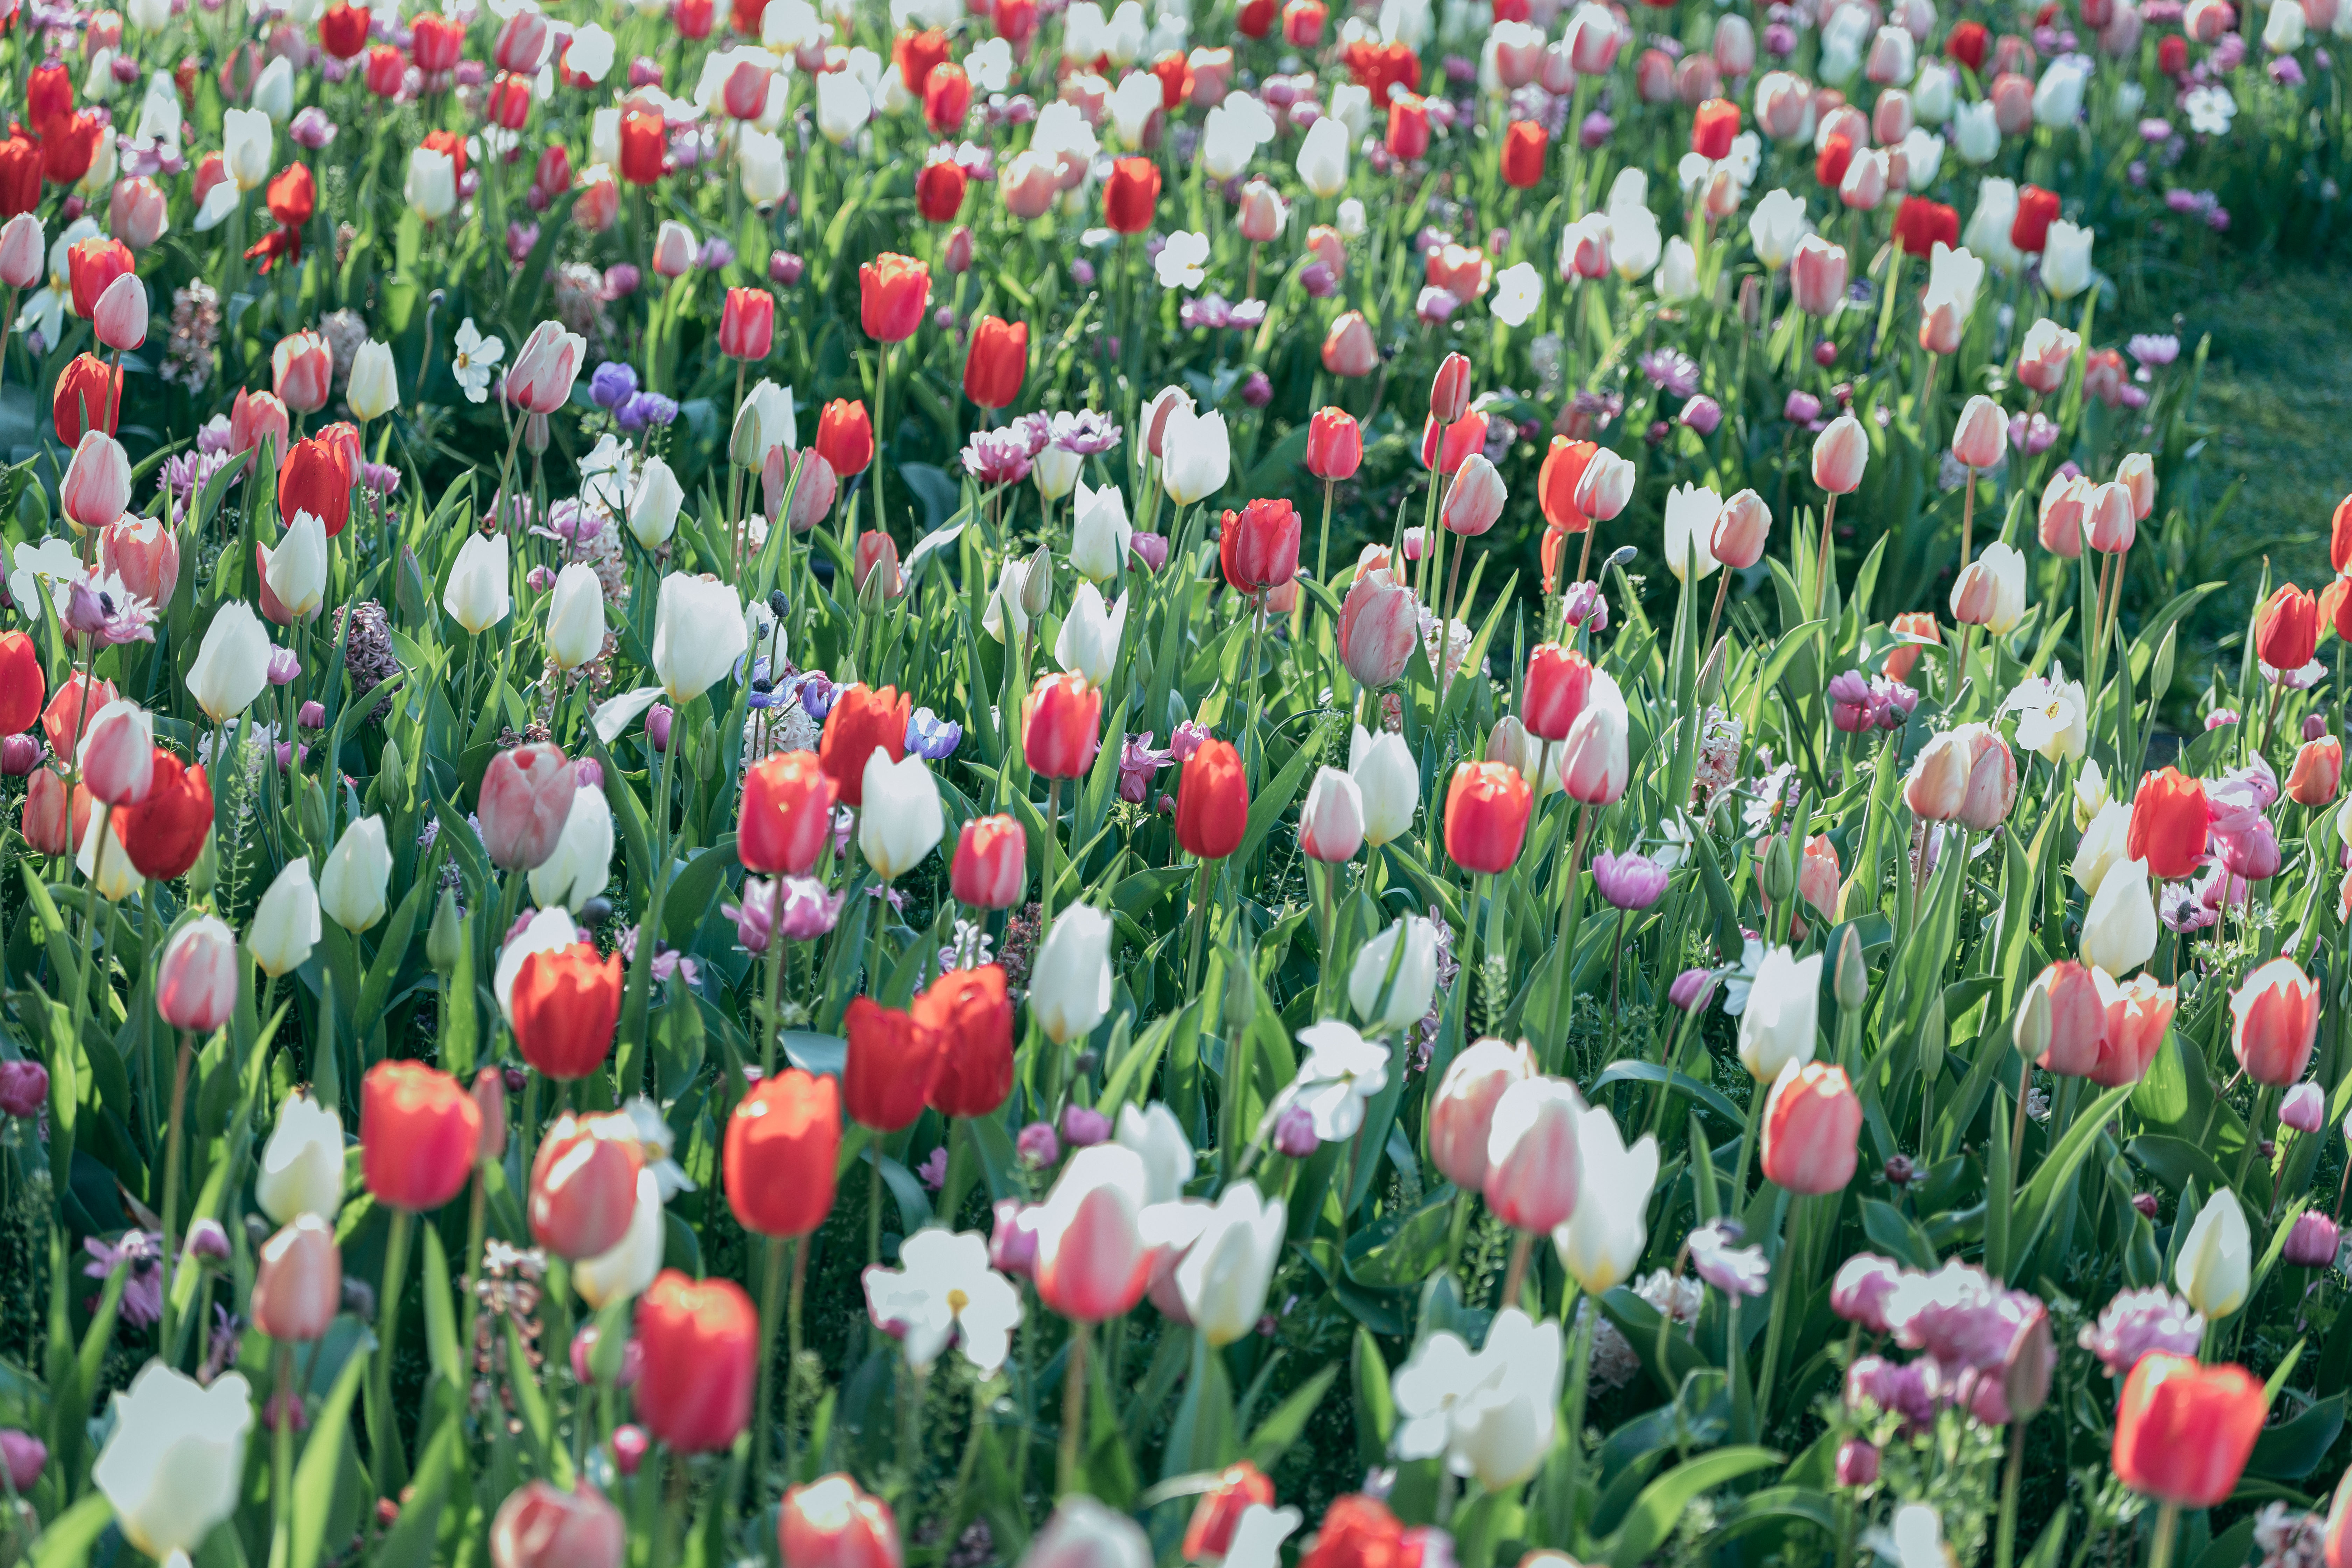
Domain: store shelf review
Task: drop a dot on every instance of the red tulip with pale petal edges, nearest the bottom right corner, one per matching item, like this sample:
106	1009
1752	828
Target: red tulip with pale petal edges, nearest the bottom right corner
2184	1433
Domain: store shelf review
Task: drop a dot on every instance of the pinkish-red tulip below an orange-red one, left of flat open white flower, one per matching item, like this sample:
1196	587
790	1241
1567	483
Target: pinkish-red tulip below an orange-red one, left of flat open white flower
702	1343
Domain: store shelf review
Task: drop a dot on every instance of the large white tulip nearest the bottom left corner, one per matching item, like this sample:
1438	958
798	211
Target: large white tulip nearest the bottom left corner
175	1461
